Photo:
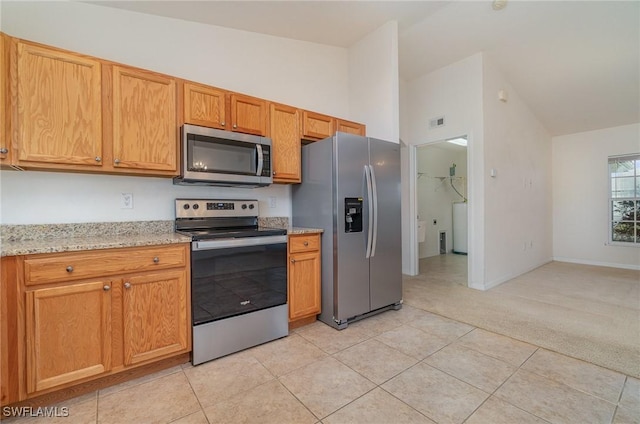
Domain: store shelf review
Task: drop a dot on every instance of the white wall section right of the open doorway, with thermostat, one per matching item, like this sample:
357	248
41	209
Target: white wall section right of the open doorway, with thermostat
518	201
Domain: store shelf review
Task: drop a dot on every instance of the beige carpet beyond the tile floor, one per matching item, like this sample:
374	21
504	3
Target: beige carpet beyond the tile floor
587	312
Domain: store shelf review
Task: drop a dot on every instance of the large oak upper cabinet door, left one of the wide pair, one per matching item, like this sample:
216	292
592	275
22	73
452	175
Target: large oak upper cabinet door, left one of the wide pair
59	117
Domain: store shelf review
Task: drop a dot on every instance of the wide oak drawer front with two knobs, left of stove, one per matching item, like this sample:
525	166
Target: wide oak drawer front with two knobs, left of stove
75	266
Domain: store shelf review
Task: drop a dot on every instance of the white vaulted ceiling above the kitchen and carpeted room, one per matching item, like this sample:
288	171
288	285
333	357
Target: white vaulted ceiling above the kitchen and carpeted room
575	63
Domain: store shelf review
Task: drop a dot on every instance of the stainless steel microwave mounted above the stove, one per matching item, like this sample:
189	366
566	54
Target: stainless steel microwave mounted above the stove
224	158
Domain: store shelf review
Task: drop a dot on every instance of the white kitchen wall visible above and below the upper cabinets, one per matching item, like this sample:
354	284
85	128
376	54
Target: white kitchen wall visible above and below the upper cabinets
302	74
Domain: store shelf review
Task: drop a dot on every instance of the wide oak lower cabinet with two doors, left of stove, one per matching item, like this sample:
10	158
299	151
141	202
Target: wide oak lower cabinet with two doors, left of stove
65	333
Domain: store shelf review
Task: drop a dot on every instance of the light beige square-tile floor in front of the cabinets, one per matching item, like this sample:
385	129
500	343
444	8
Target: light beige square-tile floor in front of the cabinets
407	366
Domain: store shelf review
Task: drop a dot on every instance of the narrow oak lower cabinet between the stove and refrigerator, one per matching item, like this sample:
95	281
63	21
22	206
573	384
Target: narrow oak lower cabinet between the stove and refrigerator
304	278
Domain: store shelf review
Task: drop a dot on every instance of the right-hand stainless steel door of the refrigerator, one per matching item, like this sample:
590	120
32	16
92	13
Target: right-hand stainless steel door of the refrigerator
386	260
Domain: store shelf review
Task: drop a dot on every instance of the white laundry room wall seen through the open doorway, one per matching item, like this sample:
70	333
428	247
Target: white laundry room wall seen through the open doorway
435	196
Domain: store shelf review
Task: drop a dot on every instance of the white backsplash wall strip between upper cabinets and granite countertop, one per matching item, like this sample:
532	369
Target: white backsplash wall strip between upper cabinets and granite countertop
53	197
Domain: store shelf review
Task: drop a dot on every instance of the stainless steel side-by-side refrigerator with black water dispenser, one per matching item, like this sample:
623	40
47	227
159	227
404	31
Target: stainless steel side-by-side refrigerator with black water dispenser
351	189
